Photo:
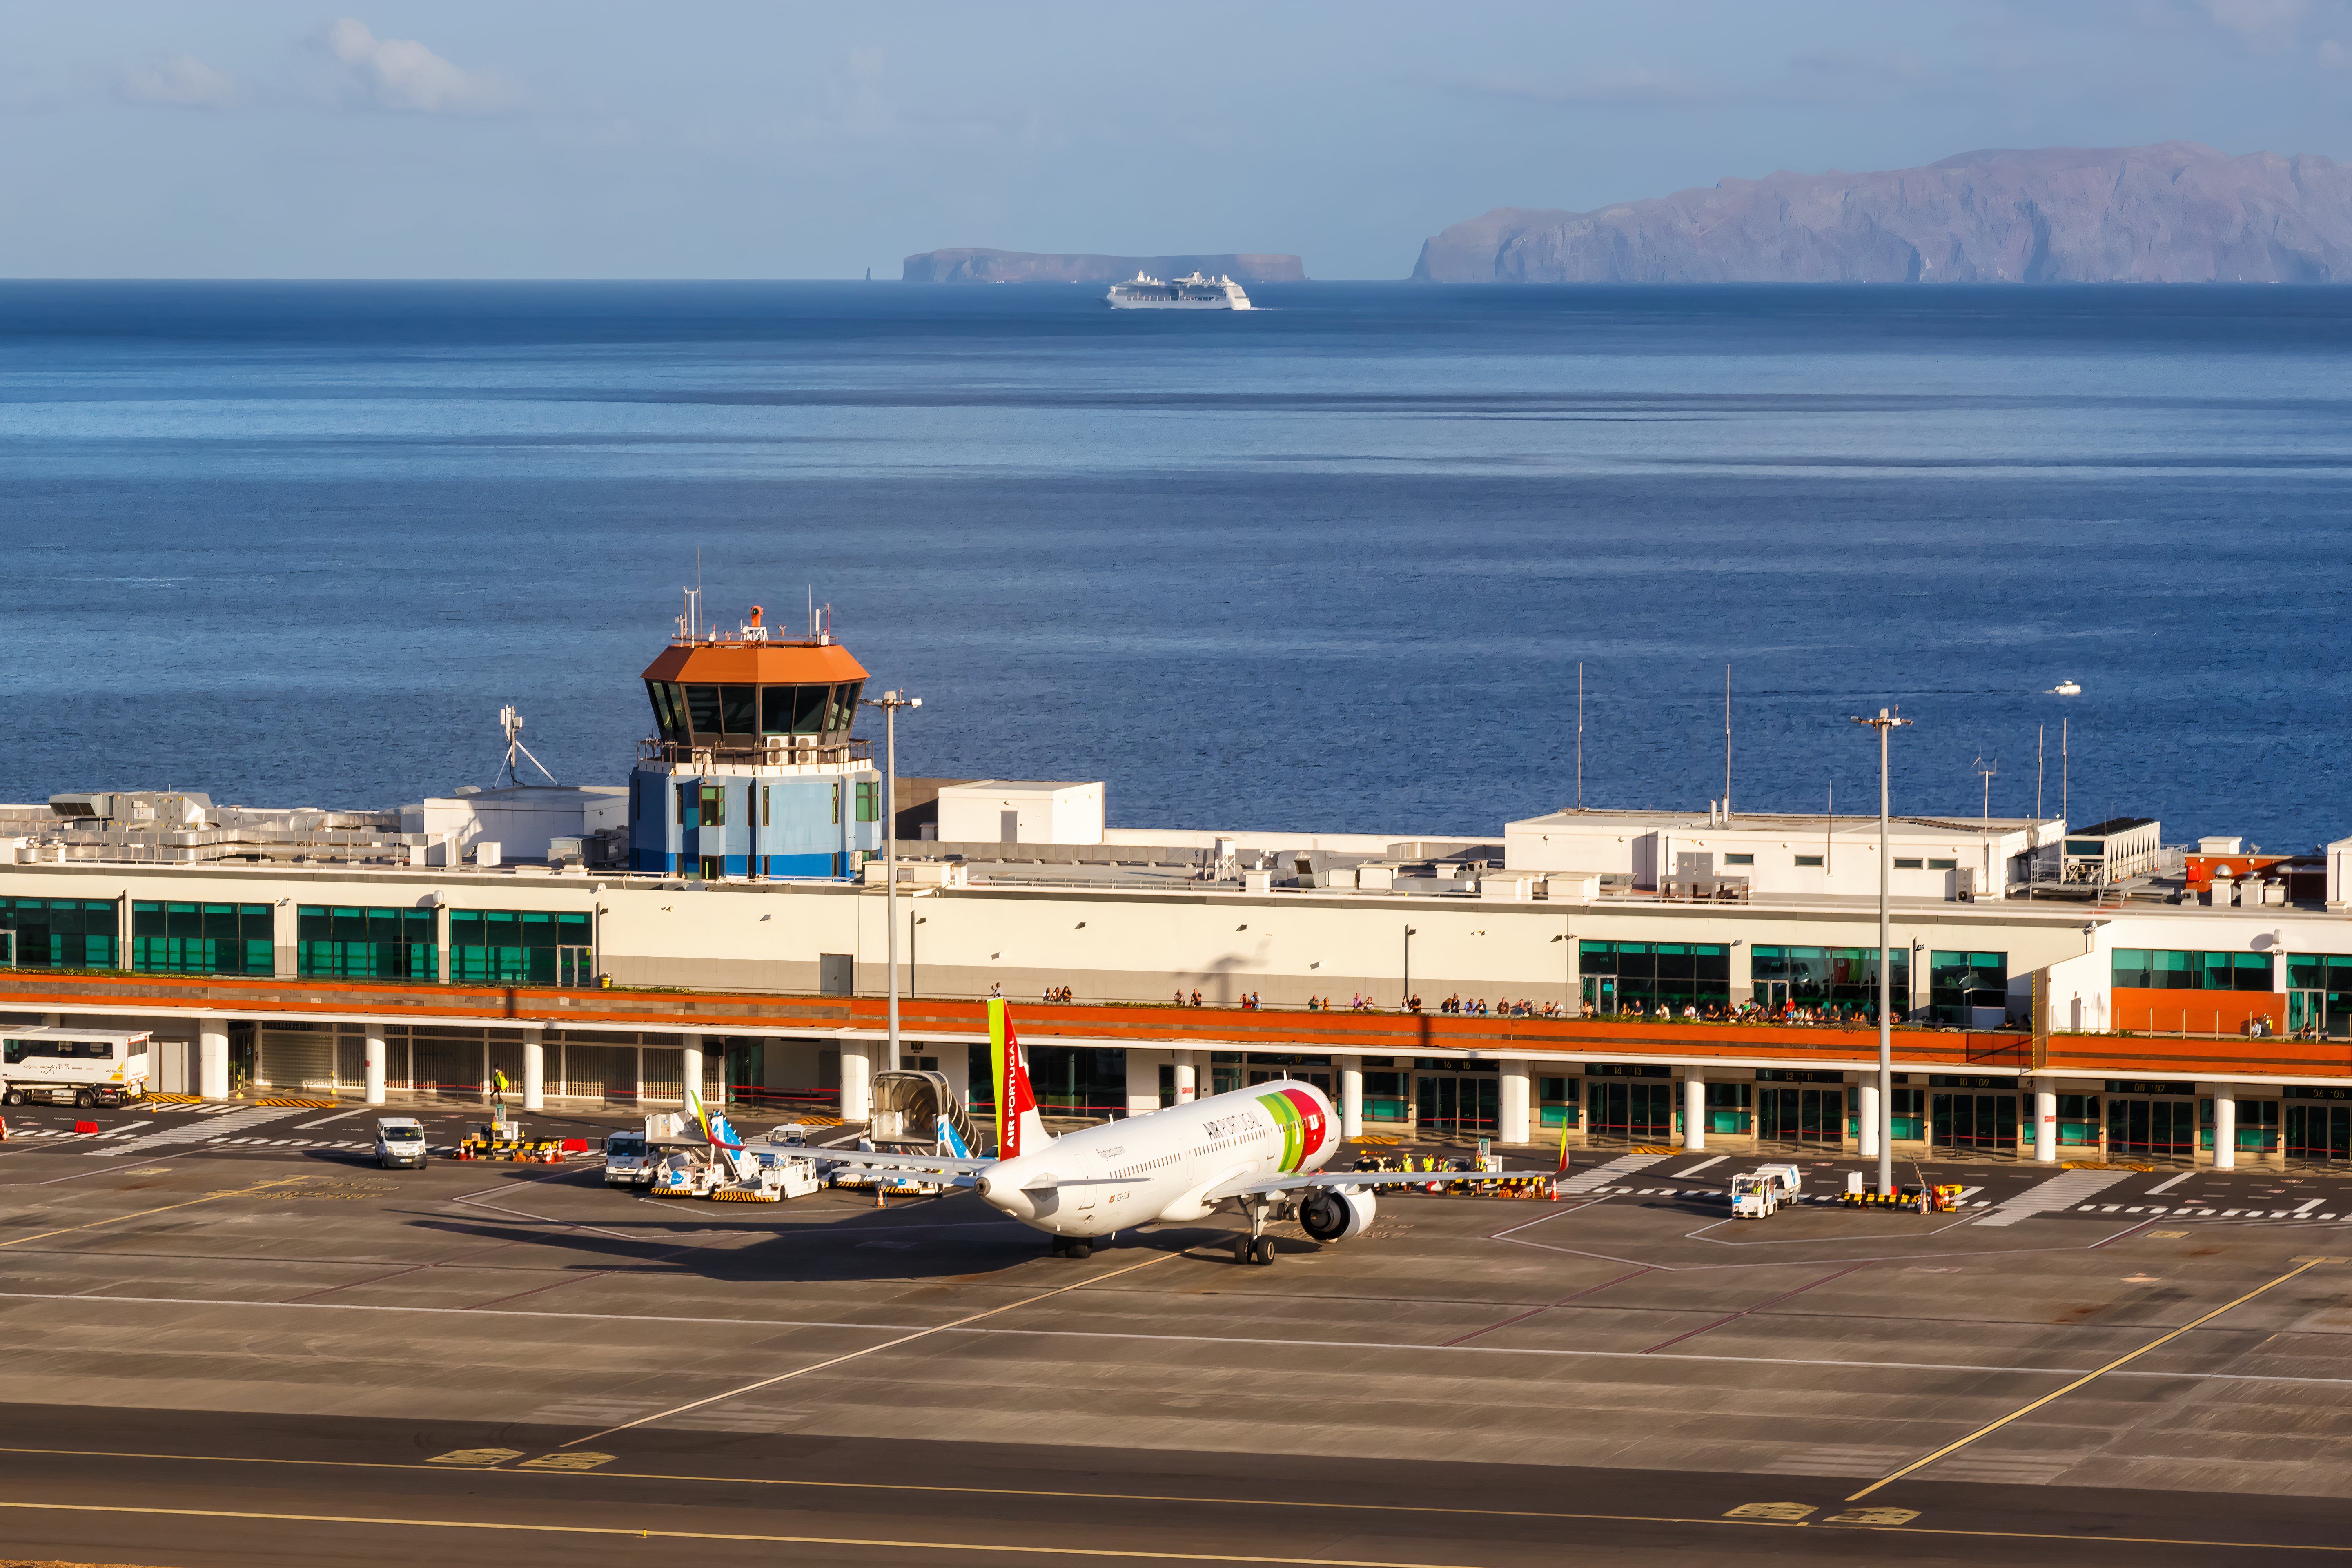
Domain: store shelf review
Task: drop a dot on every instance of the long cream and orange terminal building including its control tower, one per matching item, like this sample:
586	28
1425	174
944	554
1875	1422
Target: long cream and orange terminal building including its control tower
1624	979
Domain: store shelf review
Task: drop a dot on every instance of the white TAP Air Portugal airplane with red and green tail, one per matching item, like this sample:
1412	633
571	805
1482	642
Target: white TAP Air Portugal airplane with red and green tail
1252	1151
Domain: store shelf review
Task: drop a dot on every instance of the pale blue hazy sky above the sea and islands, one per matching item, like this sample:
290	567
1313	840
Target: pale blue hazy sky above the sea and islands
780	140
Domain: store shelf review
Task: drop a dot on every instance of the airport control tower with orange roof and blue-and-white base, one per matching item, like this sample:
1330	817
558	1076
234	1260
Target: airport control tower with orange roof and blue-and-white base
754	768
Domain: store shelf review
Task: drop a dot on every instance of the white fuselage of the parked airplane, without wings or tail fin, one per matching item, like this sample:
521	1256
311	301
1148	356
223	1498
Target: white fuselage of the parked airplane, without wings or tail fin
1161	1165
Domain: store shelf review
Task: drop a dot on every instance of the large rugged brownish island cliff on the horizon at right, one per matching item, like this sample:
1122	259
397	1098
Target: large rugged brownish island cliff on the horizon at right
2174	213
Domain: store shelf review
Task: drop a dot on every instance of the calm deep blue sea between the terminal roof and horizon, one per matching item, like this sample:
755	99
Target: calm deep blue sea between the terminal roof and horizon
1325	565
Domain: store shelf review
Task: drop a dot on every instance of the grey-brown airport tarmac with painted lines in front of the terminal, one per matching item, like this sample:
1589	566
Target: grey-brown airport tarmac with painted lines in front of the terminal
241	1343
